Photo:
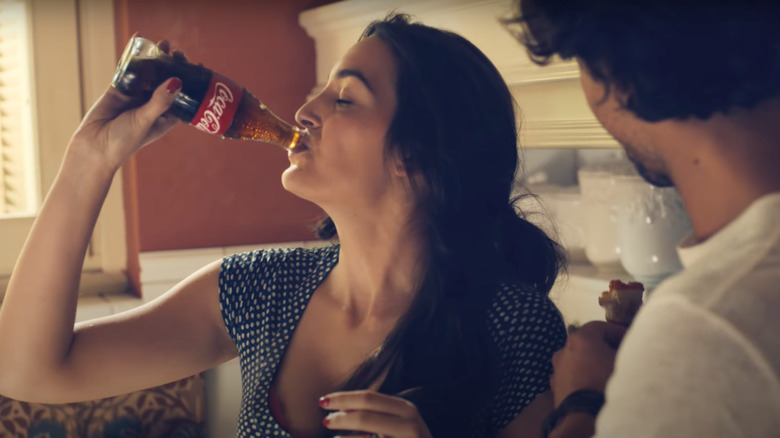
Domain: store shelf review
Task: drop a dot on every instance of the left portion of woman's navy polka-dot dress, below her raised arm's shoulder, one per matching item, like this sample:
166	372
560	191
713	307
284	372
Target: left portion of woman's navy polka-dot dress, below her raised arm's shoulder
263	295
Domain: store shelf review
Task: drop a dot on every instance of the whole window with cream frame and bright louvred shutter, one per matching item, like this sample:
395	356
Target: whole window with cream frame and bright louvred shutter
68	49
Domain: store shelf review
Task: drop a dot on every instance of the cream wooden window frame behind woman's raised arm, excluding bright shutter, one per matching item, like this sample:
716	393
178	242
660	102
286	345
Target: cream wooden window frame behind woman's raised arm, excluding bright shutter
74	56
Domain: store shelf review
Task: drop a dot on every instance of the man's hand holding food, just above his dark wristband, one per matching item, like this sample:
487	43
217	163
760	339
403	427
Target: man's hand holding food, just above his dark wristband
587	360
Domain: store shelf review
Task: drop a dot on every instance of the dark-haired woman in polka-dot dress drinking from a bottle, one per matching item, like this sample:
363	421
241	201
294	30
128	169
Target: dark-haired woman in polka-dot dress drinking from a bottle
429	317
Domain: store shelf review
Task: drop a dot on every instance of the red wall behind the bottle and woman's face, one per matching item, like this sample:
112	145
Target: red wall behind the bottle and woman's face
192	190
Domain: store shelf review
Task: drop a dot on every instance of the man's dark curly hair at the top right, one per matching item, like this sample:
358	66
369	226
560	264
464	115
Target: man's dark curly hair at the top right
672	58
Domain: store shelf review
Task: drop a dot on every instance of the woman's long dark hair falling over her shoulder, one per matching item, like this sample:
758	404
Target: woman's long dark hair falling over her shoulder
455	127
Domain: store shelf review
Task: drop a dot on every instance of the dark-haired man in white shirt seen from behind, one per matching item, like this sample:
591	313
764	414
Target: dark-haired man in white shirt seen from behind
691	90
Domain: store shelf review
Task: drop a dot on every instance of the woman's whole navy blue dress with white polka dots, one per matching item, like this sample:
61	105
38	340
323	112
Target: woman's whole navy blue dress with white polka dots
263	294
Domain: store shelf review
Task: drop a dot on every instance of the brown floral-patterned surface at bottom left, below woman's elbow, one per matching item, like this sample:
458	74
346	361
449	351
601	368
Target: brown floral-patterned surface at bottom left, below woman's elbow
175	410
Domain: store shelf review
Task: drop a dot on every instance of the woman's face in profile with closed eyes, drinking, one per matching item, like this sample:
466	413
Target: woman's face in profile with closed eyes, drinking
342	162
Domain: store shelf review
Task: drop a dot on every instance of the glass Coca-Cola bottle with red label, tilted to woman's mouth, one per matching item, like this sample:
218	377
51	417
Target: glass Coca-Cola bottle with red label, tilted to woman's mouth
207	100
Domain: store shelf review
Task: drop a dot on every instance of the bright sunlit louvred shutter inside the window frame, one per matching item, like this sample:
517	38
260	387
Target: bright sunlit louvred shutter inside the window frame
17	174
